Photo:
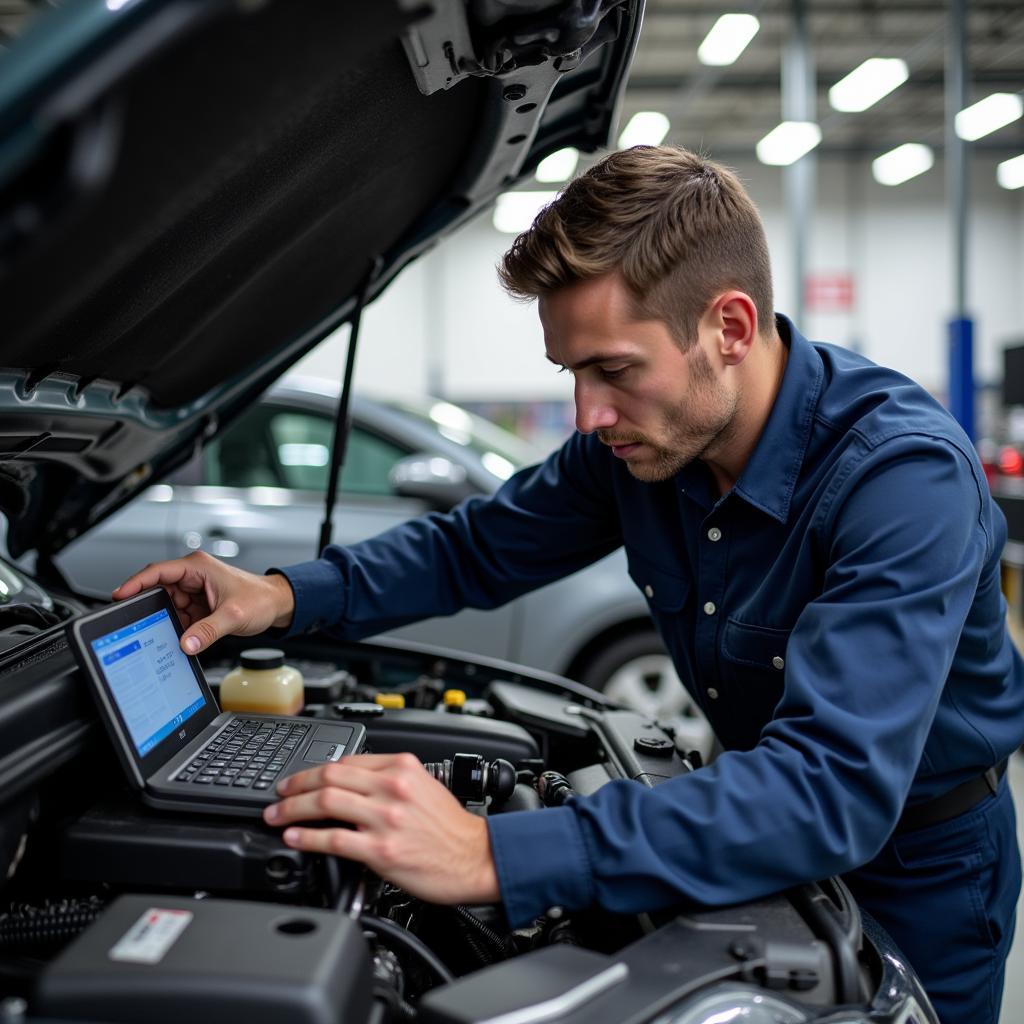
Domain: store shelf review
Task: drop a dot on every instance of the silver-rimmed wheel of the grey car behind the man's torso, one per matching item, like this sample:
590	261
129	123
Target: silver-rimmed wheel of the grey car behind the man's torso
636	672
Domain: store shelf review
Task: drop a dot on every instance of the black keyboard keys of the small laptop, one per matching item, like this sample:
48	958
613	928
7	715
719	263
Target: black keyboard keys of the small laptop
247	754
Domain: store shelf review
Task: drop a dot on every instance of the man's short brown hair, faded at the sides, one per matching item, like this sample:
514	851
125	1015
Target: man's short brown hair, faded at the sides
679	229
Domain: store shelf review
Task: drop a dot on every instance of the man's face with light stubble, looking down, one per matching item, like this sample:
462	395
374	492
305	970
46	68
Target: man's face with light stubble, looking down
657	407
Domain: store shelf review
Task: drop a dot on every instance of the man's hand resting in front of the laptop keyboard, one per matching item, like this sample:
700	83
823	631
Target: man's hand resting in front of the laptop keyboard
409	829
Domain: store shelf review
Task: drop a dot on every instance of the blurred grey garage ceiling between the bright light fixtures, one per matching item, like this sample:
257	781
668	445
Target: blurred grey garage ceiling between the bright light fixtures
726	111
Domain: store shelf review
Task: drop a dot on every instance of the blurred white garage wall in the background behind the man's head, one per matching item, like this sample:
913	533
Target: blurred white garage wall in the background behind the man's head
446	326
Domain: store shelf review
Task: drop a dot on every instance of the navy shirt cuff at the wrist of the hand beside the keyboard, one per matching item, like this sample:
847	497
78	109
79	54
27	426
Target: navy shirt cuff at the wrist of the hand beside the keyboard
541	863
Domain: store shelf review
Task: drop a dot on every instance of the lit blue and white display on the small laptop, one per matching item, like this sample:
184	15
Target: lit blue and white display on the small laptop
150	678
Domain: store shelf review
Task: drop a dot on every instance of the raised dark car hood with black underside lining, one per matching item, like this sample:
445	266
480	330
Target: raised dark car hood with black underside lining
194	194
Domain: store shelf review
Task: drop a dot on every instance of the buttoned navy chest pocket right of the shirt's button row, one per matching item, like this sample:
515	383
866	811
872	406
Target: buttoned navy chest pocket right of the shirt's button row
754	670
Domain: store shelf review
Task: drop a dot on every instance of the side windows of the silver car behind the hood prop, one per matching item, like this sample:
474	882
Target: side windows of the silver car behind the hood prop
292	449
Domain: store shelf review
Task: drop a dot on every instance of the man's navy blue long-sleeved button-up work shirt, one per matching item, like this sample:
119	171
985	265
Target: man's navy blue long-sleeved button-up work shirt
837	615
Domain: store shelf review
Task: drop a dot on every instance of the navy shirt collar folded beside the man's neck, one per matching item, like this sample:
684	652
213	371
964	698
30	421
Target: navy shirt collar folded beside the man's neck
769	480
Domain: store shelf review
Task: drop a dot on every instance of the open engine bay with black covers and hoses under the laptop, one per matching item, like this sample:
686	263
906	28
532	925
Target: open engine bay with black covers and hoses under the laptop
273	933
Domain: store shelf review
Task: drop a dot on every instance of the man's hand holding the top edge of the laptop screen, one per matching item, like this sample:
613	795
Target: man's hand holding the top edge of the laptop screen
215	600
